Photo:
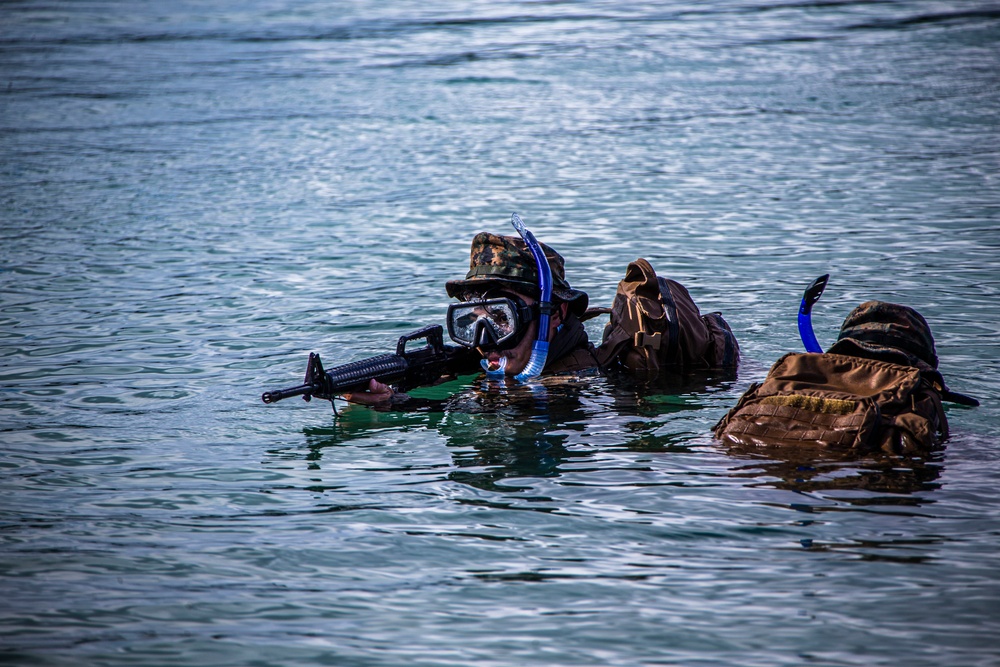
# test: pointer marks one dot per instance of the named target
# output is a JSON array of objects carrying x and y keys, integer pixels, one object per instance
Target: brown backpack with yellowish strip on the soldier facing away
[{"x": 843, "y": 402}]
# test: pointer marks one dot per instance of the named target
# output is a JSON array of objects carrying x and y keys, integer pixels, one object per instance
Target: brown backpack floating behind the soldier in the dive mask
[{"x": 655, "y": 324}]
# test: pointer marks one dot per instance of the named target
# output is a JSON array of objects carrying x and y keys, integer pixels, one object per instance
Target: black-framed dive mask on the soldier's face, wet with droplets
[{"x": 490, "y": 324}]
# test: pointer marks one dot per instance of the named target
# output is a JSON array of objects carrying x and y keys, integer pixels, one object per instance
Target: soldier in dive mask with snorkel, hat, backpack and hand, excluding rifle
[{"x": 518, "y": 311}]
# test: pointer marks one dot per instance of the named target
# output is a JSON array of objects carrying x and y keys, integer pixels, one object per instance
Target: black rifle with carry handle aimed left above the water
[{"x": 403, "y": 370}]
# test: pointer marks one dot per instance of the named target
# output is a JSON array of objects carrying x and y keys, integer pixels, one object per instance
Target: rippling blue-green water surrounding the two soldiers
[{"x": 196, "y": 195}]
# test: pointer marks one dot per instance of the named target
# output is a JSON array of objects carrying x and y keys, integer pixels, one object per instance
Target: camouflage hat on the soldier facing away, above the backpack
[{"x": 887, "y": 331}]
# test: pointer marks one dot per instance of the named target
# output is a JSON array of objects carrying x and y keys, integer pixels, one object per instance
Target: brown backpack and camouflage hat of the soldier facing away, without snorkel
[{"x": 876, "y": 389}]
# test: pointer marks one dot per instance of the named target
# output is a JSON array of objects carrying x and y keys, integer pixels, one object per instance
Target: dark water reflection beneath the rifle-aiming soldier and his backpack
[{"x": 498, "y": 432}]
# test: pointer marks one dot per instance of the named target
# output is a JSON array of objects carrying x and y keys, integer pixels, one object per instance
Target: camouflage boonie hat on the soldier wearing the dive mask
[{"x": 506, "y": 261}]
